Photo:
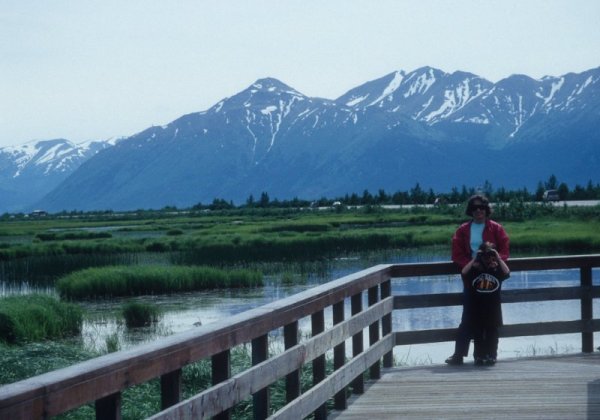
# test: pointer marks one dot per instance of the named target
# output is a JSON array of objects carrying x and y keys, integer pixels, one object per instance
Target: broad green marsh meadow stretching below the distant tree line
[{"x": 238, "y": 236}]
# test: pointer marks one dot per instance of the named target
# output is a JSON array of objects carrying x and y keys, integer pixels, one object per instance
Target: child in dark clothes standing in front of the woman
[{"x": 483, "y": 276}]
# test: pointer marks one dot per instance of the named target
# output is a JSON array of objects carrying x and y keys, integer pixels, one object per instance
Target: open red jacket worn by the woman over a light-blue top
[{"x": 492, "y": 232}]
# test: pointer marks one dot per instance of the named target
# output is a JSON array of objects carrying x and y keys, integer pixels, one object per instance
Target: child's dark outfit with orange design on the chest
[{"x": 485, "y": 310}]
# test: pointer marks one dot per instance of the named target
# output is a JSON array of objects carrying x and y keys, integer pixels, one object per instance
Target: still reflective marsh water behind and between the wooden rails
[{"x": 182, "y": 312}]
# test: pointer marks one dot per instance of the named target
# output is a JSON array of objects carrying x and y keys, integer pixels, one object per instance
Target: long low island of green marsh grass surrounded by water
[{"x": 104, "y": 282}]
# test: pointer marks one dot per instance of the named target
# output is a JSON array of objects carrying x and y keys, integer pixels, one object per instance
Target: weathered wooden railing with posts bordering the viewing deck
[{"x": 367, "y": 294}]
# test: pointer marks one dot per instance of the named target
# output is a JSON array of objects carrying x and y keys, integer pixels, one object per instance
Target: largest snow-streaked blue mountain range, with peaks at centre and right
[{"x": 438, "y": 129}]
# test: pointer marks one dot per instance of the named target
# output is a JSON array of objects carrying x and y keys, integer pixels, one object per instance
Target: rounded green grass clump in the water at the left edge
[{"x": 37, "y": 317}]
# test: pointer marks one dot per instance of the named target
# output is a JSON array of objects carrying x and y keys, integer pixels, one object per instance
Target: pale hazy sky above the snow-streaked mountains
[{"x": 93, "y": 70}]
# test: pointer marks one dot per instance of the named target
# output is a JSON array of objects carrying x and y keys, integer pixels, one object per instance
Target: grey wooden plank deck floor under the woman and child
[{"x": 559, "y": 387}]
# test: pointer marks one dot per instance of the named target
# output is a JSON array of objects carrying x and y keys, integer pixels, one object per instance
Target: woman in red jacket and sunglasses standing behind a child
[{"x": 465, "y": 243}]
